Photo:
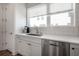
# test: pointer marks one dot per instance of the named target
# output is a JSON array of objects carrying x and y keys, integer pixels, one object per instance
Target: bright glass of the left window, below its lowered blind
[{"x": 40, "y": 21}]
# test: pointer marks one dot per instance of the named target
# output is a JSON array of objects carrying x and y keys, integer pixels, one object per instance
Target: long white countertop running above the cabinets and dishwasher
[{"x": 69, "y": 39}]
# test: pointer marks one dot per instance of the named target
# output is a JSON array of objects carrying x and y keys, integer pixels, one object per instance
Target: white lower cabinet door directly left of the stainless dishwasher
[{"x": 36, "y": 49}]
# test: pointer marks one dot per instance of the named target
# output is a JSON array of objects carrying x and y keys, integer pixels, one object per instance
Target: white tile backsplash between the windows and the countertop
[{"x": 65, "y": 30}]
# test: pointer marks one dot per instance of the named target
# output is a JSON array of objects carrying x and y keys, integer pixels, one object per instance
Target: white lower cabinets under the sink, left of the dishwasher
[{"x": 26, "y": 48}]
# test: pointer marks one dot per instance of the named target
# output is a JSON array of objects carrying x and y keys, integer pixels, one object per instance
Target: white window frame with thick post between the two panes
[{"x": 48, "y": 16}]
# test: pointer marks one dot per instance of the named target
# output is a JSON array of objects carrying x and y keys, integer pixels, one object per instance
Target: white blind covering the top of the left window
[{"x": 37, "y": 10}]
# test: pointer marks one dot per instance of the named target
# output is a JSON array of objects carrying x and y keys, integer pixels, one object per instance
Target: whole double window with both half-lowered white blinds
[{"x": 59, "y": 14}]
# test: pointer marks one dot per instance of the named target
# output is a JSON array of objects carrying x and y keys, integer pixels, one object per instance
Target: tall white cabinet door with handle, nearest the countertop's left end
[{"x": 10, "y": 27}]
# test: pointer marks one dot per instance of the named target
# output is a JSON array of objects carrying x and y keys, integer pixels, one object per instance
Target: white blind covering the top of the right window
[{"x": 57, "y": 7}]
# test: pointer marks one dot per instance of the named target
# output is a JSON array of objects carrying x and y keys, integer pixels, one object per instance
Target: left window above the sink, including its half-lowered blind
[{"x": 37, "y": 15}]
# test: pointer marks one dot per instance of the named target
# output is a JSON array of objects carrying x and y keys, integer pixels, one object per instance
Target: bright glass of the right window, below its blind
[{"x": 60, "y": 19}]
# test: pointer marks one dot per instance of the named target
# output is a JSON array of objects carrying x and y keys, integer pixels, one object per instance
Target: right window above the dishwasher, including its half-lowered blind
[{"x": 61, "y": 14}]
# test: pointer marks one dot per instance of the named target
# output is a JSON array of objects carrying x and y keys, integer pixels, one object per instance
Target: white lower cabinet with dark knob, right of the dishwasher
[{"x": 74, "y": 50}]
